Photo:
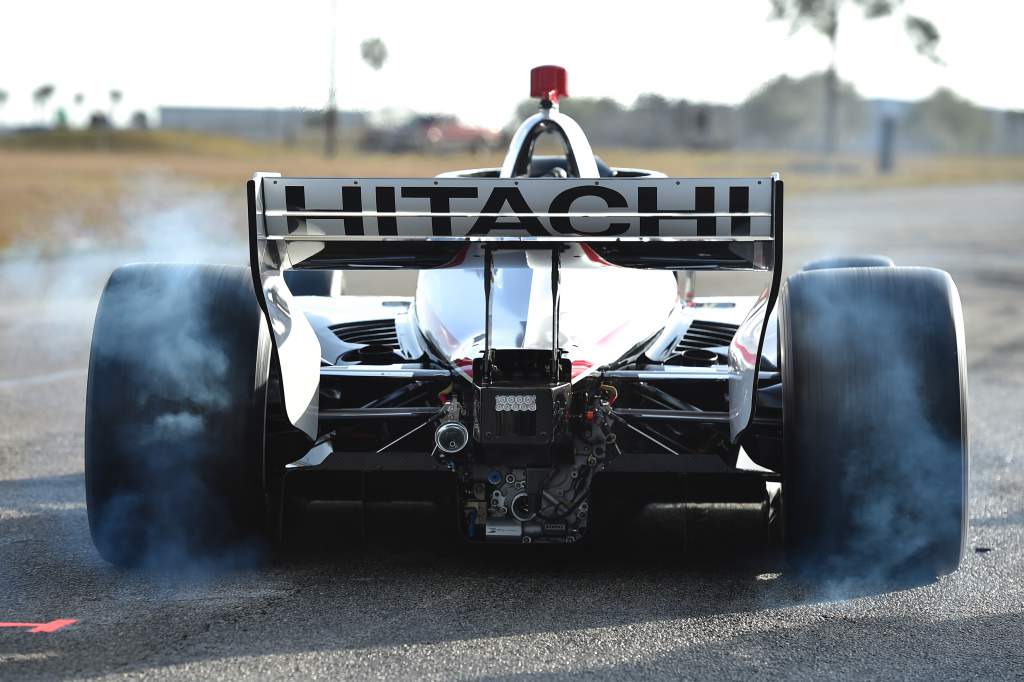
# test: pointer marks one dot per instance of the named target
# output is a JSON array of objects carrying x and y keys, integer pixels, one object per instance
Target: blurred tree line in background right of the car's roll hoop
[{"x": 787, "y": 114}]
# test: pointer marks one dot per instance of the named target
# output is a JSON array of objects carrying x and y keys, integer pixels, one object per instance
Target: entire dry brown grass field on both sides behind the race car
[{"x": 49, "y": 190}]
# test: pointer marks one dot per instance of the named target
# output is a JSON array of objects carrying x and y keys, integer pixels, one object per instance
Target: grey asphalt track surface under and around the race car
[{"x": 699, "y": 594}]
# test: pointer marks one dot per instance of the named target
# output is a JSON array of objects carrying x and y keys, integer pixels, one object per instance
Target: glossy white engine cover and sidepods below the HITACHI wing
[{"x": 605, "y": 315}]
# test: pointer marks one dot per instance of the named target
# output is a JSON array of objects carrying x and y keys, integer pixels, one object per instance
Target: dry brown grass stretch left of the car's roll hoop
[{"x": 47, "y": 192}]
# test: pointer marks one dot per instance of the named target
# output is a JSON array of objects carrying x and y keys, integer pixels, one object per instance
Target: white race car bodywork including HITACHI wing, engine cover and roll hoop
[{"x": 588, "y": 232}]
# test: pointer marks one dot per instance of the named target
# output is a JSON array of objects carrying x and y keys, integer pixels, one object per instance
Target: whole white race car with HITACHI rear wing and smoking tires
[{"x": 546, "y": 380}]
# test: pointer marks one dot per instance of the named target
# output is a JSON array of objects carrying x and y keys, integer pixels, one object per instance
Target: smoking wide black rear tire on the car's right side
[{"x": 875, "y": 406}]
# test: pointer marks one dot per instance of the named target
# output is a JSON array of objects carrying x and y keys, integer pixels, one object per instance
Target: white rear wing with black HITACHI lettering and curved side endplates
[{"x": 377, "y": 224}]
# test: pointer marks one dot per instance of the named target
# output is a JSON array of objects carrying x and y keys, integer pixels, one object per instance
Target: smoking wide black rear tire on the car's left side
[{"x": 176, "y": 416}]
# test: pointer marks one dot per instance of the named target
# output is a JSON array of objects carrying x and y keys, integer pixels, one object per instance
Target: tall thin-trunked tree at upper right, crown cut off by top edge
[{"x": 824, "y": 16}]
